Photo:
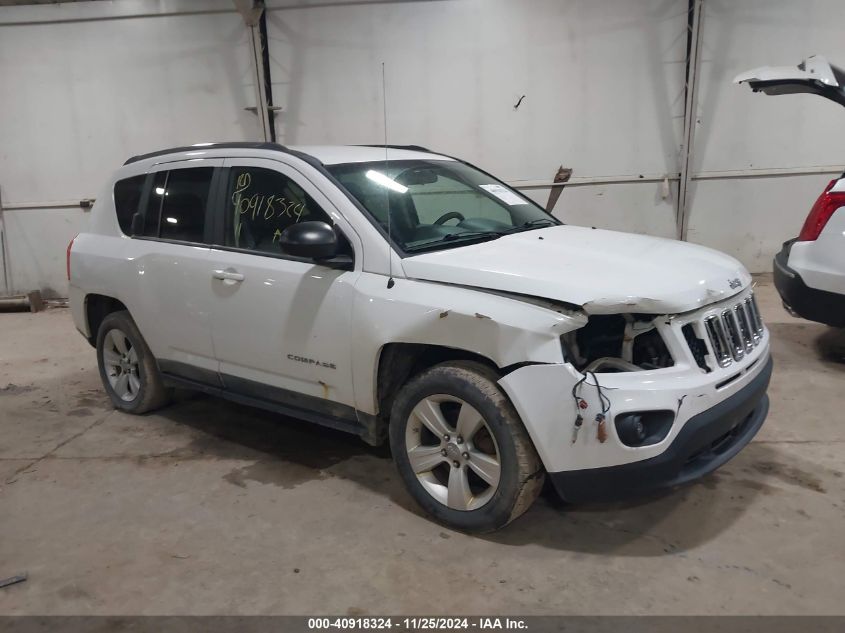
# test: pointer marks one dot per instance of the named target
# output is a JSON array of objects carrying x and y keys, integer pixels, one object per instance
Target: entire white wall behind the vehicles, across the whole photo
[{"x": 603, "y": 85}]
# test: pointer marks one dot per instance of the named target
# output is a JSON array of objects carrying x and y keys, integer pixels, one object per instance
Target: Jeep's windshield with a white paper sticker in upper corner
[{"x": 437, "y": 204}]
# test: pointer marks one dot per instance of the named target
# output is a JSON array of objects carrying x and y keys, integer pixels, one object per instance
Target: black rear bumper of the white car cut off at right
[{"x": 809, "y": 303}]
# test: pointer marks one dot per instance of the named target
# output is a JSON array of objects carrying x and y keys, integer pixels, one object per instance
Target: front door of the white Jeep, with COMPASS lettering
[{"x": 280, "y": 324}]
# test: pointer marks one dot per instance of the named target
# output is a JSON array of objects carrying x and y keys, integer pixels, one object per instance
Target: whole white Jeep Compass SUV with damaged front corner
[{"x": 401, "y": 294}]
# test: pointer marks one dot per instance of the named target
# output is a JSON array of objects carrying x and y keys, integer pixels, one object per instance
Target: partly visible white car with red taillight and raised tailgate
[{"x": 809, "y": 271}]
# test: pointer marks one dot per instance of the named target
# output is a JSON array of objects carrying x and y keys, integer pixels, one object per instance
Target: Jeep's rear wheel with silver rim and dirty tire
[{"x": 127, "y": 367}]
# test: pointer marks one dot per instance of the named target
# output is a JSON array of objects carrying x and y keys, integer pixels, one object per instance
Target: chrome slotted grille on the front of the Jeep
[{"x": 735, "y": 332}]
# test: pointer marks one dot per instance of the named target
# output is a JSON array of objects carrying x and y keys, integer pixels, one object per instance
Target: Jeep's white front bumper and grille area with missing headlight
[{"x": 632, "y": 381}]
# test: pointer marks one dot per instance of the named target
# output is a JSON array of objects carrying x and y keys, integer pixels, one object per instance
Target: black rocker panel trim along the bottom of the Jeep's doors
[{"x": 316, "y": 410}]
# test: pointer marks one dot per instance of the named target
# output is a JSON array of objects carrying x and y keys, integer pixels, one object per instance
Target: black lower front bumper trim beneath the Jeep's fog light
[{"x": 706, "y": 442}]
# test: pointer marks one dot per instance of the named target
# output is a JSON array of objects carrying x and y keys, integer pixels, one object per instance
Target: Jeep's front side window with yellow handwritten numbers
[{"x": 261, "y": 203}]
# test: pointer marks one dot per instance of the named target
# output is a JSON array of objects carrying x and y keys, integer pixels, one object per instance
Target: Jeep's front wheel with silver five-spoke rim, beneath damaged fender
[{"x": 461, "y": 449}]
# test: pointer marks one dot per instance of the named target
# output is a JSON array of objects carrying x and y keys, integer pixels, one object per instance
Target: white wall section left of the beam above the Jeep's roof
[{"x": 80, "y": 94}]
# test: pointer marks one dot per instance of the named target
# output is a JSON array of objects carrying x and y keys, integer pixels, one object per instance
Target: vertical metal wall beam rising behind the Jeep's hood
[{"x": 690, "y": 112}]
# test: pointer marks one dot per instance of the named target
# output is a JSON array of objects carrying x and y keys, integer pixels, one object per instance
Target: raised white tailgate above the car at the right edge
[{"x": 813, "y": 76}]
